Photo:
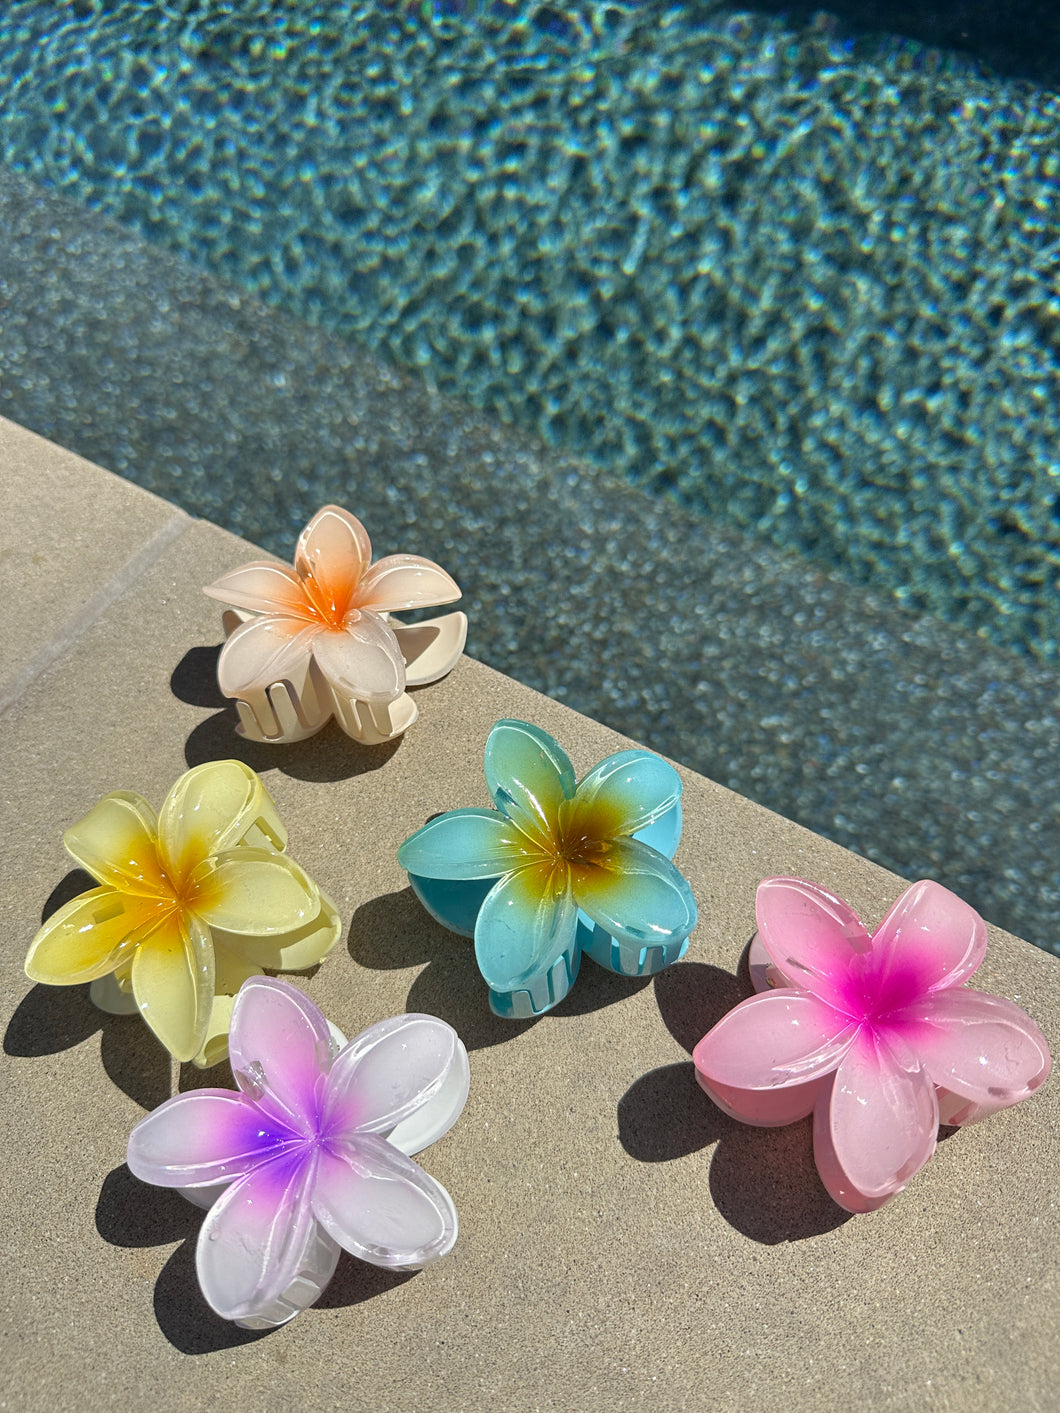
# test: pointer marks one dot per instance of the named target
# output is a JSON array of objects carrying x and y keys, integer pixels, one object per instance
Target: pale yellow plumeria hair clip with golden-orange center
[{"x": 190, "y": 904}]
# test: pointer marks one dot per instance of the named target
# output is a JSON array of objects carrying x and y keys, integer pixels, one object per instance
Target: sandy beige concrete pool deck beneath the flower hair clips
[{"x": 623, "y": 1244}]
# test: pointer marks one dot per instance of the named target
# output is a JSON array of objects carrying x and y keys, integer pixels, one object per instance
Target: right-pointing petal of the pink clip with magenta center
[{"x": 982, "y": 1048}]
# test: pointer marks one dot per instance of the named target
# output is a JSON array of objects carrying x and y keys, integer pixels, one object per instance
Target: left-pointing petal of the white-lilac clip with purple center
[{"x": 201, "y": 1138}]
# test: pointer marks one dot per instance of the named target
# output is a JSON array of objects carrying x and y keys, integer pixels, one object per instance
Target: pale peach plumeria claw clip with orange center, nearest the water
[{"x": 319, "y": 641}]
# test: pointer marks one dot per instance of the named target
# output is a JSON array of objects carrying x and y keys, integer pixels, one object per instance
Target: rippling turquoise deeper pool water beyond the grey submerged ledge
[{"x": 812, "y": 295}]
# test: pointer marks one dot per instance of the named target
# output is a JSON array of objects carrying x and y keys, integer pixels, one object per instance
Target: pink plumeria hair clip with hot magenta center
[{"x": 877, "y": 1036}]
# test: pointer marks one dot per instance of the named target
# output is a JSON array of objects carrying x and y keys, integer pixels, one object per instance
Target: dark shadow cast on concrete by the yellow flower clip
[{"x": 52, "y": 1019}]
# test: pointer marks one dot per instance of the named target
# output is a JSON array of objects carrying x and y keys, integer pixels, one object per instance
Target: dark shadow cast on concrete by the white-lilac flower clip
[{"x": 131, "y": 1213}]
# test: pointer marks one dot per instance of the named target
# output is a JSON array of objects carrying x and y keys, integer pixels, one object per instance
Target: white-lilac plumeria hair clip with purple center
[{"x": 312, "y": 1157}]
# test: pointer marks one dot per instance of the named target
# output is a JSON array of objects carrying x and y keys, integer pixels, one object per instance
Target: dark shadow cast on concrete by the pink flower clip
[{"x": 764, "y": 1182}]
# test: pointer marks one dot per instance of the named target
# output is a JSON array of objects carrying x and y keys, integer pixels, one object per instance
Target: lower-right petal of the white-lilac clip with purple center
[{"x": 381, "y": 1206}]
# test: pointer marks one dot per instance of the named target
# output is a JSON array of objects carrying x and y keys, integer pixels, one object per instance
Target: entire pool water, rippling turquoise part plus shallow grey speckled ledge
[{"x": 758, "y": 300}]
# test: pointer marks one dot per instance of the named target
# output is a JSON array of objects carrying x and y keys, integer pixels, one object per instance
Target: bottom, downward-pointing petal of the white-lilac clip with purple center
[{"x": 257, "y": 1238}]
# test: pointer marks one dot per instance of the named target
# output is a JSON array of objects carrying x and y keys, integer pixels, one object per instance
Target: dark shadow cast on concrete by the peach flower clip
[{"x": 324, "y": 758}]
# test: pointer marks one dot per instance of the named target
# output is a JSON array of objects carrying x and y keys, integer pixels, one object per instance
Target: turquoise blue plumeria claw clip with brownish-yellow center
[{"x": 559, "y": 868}]
